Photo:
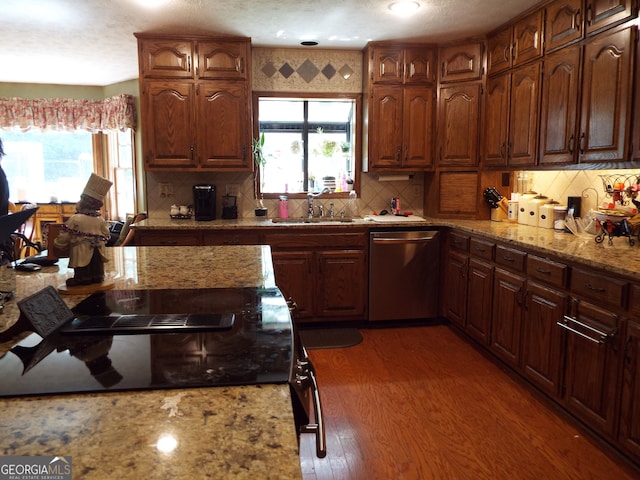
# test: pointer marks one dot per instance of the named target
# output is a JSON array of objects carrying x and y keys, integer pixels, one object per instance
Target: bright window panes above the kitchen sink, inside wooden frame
[{"x": 310, "y": 143}]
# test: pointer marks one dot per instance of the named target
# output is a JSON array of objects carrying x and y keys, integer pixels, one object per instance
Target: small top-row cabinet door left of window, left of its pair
[{"x": 162, "y": 58}]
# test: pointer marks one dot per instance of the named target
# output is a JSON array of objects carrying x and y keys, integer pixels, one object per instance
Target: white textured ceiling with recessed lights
[{"x": 91, "y": 42}]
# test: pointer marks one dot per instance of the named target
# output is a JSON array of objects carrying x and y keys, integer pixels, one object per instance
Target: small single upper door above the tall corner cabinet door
[{"x": 461, "y": 62}]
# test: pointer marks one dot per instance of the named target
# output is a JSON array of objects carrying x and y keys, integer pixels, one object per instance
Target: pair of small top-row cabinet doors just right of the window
[{"x": 402, "y": 65}]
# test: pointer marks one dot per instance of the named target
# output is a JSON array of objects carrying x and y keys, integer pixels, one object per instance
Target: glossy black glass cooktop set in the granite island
[{"x": 257, "y": 348}]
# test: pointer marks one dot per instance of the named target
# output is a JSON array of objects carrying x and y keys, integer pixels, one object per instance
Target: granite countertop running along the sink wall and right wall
[{"x": 619, "y": 258}]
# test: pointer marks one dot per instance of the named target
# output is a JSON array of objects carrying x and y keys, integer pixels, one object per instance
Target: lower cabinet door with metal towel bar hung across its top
[{"x": 592, "y": 362}]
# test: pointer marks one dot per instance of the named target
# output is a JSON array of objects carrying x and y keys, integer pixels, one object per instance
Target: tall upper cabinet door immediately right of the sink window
[{"x": 385, "y": 124}]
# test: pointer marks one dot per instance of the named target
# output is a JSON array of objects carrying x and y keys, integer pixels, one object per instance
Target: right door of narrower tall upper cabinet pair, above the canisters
[{"x": 523, "y": 117}]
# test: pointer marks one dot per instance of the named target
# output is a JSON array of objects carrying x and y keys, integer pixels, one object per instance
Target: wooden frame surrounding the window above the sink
[{"x": 357, "y": 135}]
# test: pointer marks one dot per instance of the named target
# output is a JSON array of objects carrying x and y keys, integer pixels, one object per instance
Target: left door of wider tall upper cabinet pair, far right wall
[{"x": 559, "y": 111}]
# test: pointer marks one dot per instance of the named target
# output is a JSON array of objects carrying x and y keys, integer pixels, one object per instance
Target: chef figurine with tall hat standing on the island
[{"x": 85, "y": 235}]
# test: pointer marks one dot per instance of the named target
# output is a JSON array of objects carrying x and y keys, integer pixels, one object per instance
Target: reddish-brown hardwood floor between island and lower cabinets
[{"x": 422, "y": 403}]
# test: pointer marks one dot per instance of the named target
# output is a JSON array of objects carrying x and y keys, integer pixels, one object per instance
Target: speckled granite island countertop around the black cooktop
[{"x": 220, "y": 432}]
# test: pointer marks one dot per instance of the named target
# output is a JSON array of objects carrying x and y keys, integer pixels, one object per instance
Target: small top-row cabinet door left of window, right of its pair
[{"x": 223, "y": 59}]
